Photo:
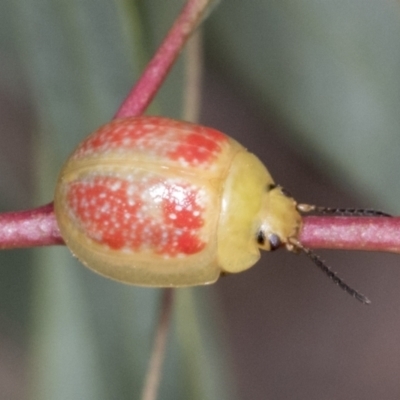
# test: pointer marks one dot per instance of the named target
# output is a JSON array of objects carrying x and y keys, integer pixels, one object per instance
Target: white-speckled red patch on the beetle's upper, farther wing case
[{"x": 156, "y": 137}]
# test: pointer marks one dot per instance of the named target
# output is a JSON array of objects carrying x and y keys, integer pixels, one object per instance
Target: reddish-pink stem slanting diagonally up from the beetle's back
[{"x": 156, "y": 71}]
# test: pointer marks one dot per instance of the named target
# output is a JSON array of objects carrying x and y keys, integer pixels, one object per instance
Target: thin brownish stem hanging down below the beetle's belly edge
[{"x": 153, "y": 376}]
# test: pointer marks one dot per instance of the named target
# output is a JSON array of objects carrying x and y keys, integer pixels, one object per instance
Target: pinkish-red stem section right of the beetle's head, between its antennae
[{"x": 352, "y": 233}]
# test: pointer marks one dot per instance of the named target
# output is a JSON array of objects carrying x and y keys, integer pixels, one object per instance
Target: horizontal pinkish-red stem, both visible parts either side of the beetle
[{"x": 38, "y": 227}]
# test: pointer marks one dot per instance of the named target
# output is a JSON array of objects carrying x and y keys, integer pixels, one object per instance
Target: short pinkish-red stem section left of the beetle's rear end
[{"x": 37, "y": 227}]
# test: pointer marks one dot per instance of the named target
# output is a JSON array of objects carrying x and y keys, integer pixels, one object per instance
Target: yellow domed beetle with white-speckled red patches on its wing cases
[{"x": 156, "y": 202}]
